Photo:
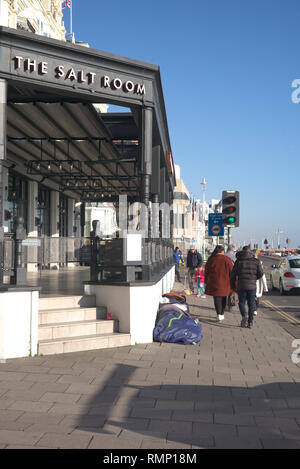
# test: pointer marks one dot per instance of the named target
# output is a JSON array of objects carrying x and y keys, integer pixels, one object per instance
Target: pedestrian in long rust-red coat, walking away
[{"x": 217, "y": 279}]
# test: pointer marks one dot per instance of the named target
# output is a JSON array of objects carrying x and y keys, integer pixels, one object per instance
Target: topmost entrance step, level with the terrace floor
[{"x": 69, "y": 302}]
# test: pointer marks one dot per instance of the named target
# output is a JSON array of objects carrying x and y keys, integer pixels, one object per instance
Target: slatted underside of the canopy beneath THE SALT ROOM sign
[{"x": 67, "y": 143}]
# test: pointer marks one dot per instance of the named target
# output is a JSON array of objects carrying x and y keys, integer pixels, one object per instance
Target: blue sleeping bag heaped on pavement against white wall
[{"x": 173, "y": 325}]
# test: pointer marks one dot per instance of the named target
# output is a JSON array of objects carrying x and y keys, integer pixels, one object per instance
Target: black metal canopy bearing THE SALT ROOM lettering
[{"x": 51, "y": 88}]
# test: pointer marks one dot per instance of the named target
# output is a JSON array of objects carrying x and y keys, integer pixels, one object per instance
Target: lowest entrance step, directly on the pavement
[{"x": 84, "y": 343}]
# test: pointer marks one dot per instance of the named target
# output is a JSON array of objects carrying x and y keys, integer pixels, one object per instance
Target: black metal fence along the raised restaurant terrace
[{"x": 104, "y": 256}]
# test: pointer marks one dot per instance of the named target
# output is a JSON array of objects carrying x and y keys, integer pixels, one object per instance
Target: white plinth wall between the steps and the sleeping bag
[{"x": 135, "y": 307}]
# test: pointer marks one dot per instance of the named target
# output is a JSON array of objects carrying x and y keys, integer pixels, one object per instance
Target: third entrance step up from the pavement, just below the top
[{"x": 52, "y": 316}]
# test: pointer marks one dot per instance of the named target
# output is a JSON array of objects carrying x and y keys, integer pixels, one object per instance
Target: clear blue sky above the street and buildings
[{"x": 227, "y": 69}]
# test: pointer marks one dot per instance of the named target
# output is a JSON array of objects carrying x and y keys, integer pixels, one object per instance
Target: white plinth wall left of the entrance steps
[{"x": 18, "y": 324}]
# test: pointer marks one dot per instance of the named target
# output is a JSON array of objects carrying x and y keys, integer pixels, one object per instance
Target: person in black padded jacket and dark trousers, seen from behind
[{"x": 246, "y": 270}]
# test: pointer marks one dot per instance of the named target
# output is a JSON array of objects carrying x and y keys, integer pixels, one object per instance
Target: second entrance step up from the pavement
[{"x": 76, "y": 329}]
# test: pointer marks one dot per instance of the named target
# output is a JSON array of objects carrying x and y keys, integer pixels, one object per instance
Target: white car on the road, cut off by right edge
[{"x": 286, "y": 275}]
